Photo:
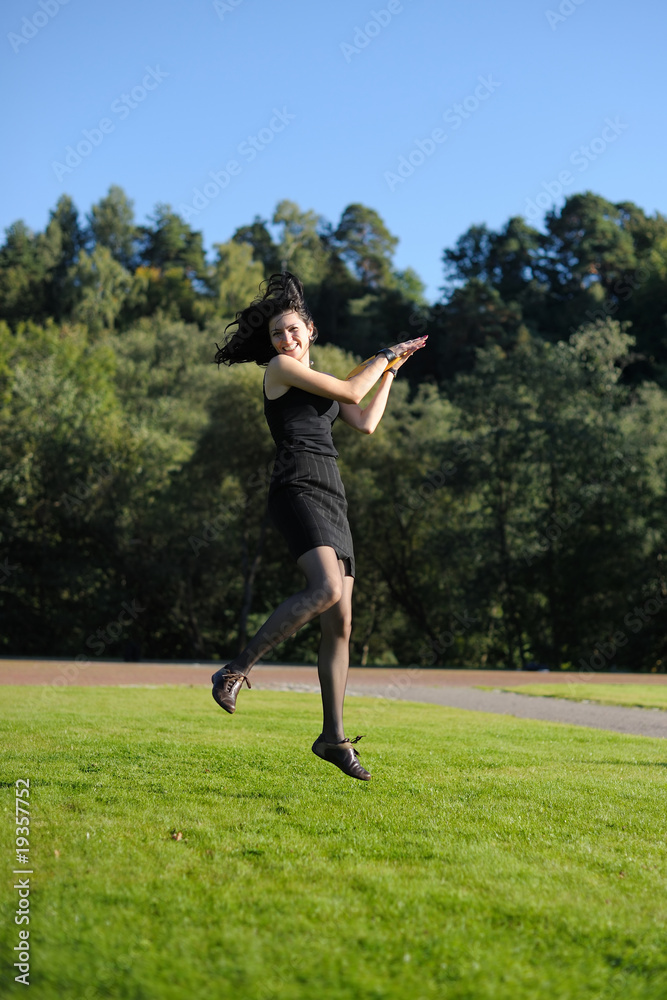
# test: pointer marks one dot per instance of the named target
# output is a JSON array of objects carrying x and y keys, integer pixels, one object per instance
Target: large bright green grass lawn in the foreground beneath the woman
[{"x": 489, "y": 857}]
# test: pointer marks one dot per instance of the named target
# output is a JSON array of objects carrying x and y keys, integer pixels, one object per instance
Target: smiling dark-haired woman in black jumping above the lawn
[{"x": 306, "y": 496}]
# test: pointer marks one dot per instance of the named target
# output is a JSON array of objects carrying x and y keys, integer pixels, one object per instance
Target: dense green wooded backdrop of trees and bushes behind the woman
[{"x": 510, "y": 507}]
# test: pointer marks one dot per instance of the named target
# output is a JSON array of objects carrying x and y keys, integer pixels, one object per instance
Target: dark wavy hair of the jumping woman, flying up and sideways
[{"x": 249, "y": 339}]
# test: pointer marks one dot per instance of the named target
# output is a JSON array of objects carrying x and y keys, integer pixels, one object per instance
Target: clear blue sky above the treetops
[{"x": 550, "y": 89}]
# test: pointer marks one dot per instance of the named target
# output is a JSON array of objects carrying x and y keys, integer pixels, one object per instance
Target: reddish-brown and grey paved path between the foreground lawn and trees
[{"x": 439, "y": 687}]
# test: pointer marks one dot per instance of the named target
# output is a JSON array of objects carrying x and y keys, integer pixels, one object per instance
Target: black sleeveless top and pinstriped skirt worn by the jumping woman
[{"x": 307, "y": 501}]
